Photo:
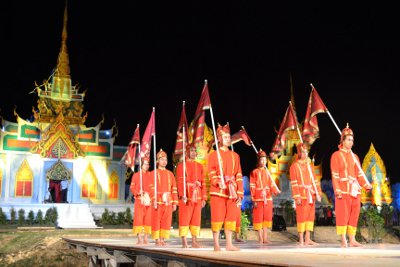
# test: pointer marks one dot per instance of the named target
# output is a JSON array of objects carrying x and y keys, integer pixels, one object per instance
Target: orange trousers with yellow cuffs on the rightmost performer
[{"x": 347, "y": 211}]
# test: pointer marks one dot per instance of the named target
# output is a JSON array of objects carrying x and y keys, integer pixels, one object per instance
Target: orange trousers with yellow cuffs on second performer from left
[{"x": 161, "y": 220}]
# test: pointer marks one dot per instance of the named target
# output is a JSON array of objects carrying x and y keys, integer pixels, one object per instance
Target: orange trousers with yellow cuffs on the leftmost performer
[{"x": 141, "y": 218}]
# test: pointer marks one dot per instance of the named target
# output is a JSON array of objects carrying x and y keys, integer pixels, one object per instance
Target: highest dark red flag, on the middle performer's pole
[{"x": 200, "y": 116}]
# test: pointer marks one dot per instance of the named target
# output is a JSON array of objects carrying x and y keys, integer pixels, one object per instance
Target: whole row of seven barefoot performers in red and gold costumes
[{"x": 153, "y": 213}]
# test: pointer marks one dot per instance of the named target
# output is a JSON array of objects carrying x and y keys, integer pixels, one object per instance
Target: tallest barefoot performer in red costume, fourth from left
[{"x": 226, "y": 189}]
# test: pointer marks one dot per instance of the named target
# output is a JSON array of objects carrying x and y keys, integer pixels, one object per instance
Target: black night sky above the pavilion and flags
[{"x": 131, "y": 57}]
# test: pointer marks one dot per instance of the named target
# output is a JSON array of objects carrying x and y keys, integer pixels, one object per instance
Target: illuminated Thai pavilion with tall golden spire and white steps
[{"x": 57, "y": 145}]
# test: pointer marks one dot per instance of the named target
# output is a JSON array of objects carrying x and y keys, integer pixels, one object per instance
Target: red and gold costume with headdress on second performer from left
[{"x": 167, "y": 195}]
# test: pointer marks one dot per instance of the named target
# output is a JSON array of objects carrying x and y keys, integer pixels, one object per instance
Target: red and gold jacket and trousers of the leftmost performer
[{"x": 142, "y": 207}]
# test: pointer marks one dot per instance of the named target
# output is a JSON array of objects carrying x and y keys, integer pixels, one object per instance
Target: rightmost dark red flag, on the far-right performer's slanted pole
[{"x": 310, "y": 127}]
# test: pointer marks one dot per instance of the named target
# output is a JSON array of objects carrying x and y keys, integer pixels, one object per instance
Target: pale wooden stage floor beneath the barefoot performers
[{"x": 251, "y": 253}]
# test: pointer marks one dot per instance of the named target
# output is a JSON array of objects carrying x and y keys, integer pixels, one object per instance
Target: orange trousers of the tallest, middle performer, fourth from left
[{"x": 224, "y": 212}]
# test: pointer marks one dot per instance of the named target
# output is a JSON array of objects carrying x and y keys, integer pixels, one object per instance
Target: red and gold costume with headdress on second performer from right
[{"x": 304, "y": 189}]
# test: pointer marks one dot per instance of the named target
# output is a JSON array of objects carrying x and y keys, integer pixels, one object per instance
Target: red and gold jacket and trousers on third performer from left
[{"x": 196, "y": 192}]
